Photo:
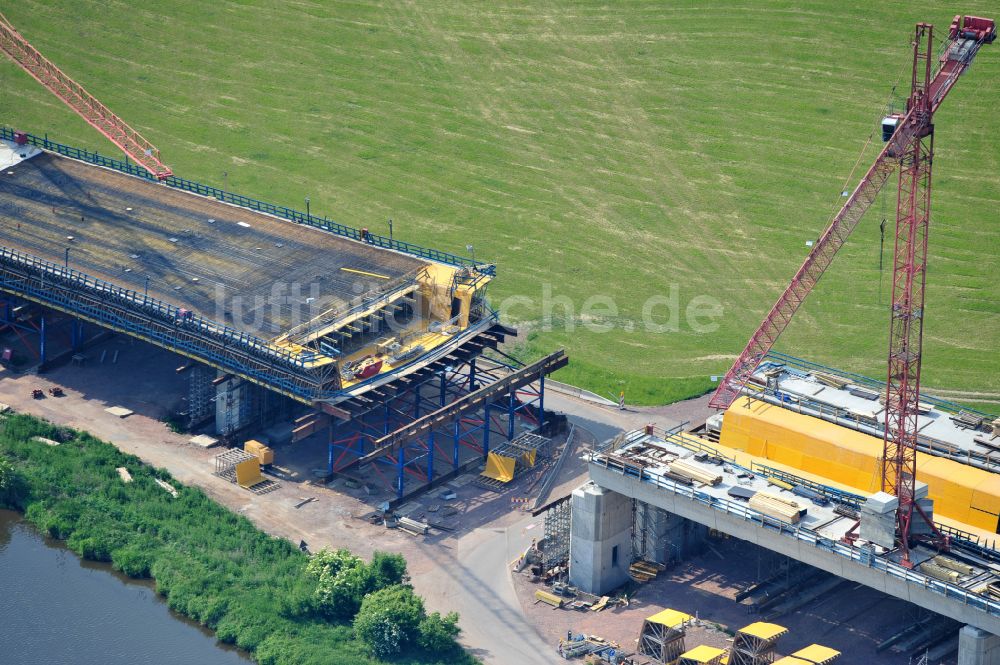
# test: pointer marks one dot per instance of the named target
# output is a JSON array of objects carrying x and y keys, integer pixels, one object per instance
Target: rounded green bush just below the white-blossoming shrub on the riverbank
[{"x": 389, "y": 620}]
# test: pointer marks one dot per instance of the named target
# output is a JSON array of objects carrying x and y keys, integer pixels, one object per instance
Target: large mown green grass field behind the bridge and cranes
[{"x": 601, "y": 149}]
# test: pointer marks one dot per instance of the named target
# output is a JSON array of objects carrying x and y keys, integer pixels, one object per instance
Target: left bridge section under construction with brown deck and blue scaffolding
[{"x": 267, "y": 304}]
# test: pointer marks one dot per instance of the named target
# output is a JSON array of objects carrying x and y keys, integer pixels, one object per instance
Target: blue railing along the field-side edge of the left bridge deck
[{"x": 284, "y": 212}]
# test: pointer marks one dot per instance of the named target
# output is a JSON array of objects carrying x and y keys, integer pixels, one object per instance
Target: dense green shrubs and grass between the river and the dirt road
[{"x": 256, "y": 591}]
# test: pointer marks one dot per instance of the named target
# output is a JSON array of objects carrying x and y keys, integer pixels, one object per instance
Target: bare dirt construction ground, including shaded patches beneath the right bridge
[{"x": 464, "y": 570}]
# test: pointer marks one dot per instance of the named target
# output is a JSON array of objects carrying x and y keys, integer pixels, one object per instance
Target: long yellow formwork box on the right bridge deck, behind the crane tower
[{"x": 963, "y": 493}]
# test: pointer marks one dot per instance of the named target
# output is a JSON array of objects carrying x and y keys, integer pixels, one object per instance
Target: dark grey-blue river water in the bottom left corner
[{"x": 56, "y": 609}]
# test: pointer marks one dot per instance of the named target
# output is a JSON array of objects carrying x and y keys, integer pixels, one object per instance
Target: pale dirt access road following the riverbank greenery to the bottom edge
[{"x": 466, "y": 571}]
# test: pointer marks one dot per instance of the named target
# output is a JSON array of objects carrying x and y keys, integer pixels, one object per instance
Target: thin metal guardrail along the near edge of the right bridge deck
[{"x": 855, "y": 554}]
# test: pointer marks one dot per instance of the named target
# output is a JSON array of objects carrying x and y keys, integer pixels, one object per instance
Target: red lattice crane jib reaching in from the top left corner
[{"x": 96, "y": 114}]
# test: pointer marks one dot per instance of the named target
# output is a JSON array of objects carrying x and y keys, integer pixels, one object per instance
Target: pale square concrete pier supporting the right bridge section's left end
[{"x": 600, "y": 539}]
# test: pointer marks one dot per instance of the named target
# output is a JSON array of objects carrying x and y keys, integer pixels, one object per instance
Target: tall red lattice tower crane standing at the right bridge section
[{"x": 908, "y": 151}]
